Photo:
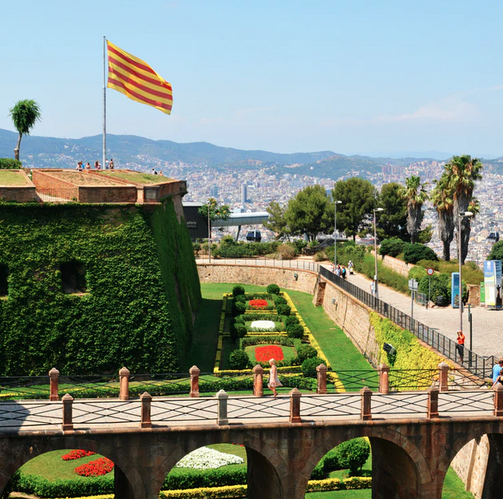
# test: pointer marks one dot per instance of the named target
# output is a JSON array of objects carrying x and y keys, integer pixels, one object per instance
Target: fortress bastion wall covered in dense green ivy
[{"x": 142, "y": 289}]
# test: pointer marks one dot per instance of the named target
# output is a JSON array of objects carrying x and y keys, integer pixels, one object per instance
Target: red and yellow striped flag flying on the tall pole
[{"x": 137, "y": 80}]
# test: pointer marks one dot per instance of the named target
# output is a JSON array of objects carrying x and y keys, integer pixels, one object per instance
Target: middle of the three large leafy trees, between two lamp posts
[{"x": 359, "y": 198}]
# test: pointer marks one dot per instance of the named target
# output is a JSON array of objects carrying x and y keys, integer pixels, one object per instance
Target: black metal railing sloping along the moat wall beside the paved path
[{"x": 477, "y": 364}]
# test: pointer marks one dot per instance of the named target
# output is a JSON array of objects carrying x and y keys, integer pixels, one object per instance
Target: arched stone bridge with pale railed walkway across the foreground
[{"x": 414, "y": 436}]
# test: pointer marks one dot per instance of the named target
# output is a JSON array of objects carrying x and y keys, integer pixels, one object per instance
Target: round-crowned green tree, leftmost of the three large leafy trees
[{"x": 309, "y": 212}]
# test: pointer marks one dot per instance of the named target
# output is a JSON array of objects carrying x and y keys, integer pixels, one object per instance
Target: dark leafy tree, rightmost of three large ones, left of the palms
[{"x": 392, "y": 221}]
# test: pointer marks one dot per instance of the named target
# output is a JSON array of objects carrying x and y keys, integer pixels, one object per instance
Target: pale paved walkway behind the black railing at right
[{"x": 487, "y": 324}]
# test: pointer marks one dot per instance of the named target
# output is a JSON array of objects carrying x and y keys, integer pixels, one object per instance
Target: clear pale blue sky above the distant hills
[{"x": 371, "y": 77}]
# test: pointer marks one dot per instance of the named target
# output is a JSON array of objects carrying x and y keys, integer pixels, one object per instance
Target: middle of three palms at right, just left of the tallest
[{"x": 441, "y": 197}]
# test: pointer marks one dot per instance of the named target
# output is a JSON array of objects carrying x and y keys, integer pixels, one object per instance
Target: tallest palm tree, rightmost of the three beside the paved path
[{"x": 463, "y": 171}]
